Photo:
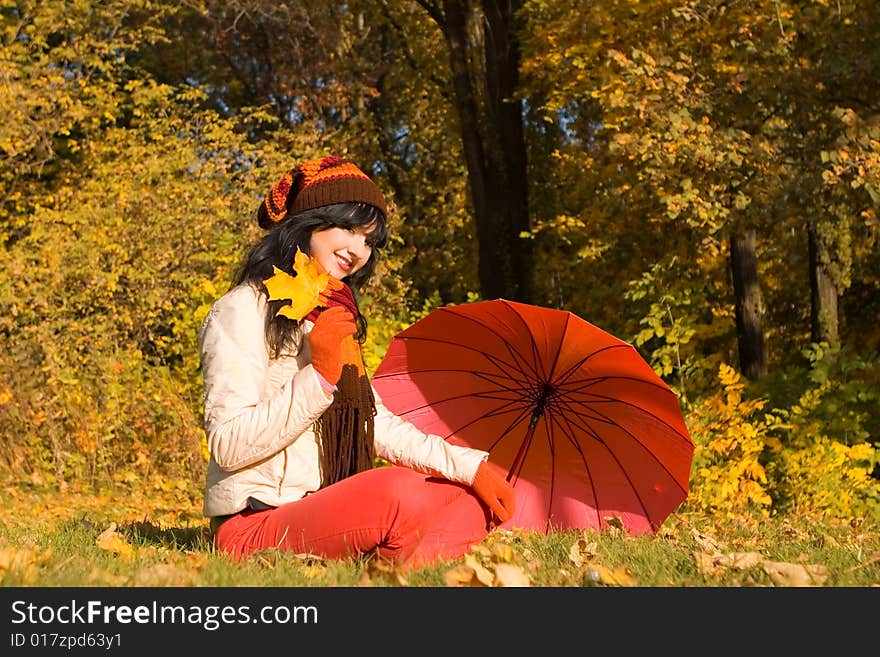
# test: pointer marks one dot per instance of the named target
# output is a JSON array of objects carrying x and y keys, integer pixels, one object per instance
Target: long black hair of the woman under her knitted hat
[{"x": 279, "y": 246}]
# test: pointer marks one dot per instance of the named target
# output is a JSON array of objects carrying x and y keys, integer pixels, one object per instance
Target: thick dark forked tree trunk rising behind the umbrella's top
[{"x": 494, "y": 145}]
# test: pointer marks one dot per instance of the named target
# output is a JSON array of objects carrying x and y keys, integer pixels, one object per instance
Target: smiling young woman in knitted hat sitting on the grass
[{"x": 292, "y": 422}]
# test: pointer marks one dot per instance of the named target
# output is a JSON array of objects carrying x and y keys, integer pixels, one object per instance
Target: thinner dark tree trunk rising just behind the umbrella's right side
[{"x": 749, "y": 320}]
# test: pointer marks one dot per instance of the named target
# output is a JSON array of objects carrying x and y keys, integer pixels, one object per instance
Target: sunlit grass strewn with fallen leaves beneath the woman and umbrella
[{"x": 77, "y": 538}]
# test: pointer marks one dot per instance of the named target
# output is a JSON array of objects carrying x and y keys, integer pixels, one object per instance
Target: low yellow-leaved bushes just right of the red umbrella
[{"x": 748, "y": 464}]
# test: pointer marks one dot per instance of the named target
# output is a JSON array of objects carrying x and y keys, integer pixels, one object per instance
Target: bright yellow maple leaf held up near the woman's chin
[{"x": 310, "y": 288}]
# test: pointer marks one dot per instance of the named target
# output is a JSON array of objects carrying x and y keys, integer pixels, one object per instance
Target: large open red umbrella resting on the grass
[{"x": 575, "y": 419}]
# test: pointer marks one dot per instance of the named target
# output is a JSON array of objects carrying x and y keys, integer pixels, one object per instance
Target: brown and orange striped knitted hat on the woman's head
[{"x": 318, "y": 182}]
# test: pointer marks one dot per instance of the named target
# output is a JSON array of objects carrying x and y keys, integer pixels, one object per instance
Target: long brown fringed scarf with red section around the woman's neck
[{"x": 345, "y": 429}]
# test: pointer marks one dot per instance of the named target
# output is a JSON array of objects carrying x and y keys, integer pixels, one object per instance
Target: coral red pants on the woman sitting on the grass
[{"x": 405, "y": 516}]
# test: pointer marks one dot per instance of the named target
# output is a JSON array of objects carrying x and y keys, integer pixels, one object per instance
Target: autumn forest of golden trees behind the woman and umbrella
[{"x": 700, "y": 178}]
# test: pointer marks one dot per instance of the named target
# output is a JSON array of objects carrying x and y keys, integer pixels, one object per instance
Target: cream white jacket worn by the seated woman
[{"x": 259, "y": 414}]
